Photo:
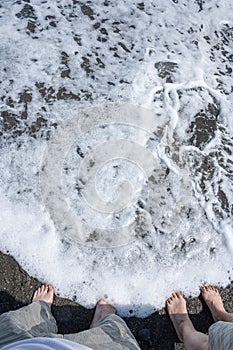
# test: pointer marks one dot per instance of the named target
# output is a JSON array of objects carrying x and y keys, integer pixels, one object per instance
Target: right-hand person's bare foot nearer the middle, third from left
[{"x": 176, "y": 307}]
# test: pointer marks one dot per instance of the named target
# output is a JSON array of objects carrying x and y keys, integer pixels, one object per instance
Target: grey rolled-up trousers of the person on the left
[{"x": 36, "y": 320}]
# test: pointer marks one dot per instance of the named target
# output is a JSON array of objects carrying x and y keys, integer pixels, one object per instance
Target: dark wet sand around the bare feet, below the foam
[{"x": 153, "y": 332}]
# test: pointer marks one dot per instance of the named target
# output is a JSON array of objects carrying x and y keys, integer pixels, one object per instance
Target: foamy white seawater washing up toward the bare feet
[{"x": 150, "y": 83}]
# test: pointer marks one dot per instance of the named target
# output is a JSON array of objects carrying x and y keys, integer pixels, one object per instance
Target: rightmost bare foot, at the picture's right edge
[{"x": 214, "y": 302}]
